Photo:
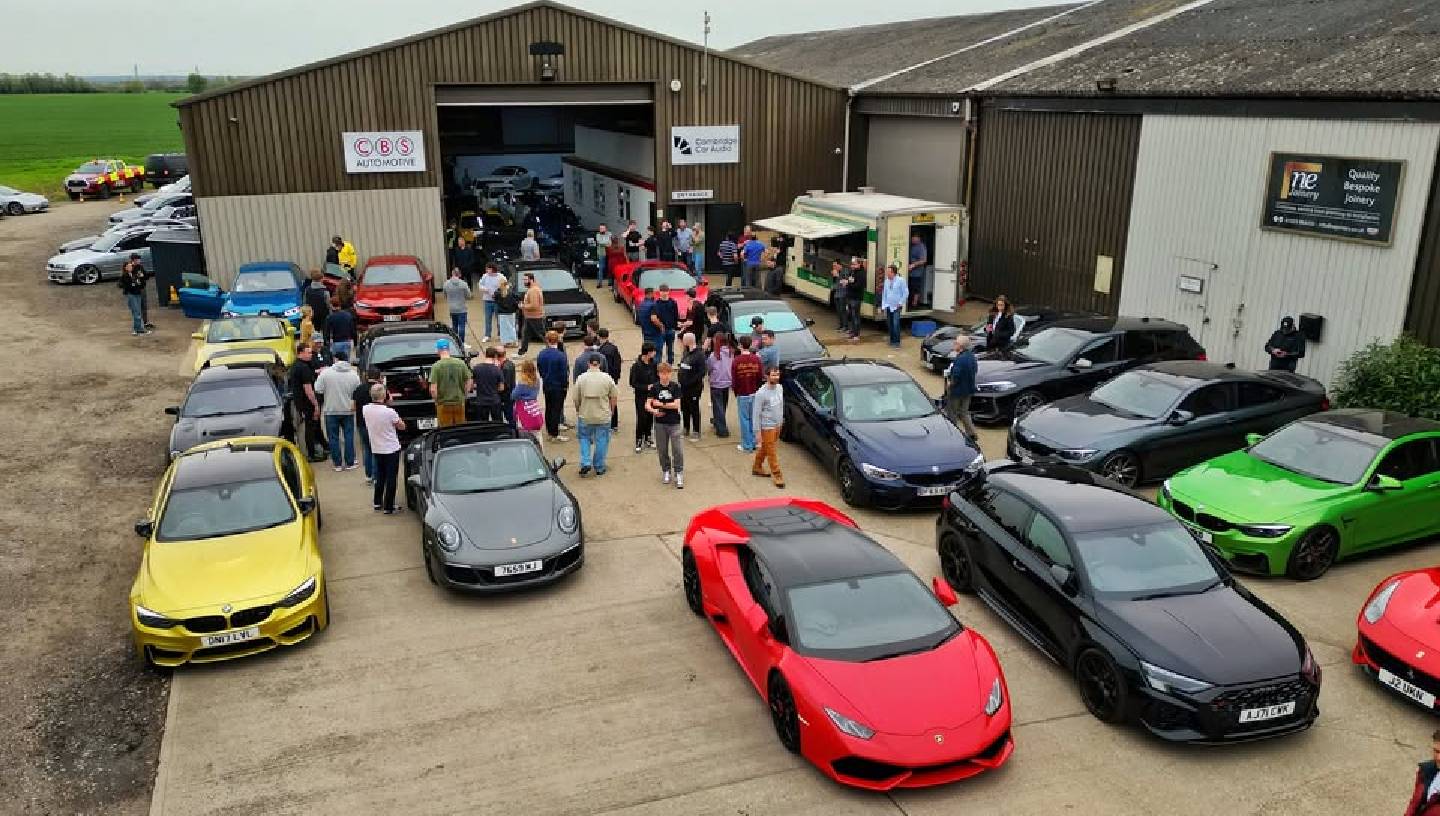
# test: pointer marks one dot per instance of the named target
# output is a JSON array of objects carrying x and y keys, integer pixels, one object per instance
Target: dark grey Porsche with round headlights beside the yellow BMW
[{"x": 495, "y": 516}]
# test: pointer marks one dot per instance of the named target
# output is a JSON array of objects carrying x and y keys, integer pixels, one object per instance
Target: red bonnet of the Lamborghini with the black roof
[{"x": 915, "y": 694}]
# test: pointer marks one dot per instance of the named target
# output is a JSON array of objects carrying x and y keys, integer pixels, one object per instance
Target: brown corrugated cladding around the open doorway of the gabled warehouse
[{"x": 283, "y": 136}]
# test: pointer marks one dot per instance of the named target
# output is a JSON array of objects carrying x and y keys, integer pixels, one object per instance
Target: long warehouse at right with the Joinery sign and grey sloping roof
[{"x": 1222, "y": 163}]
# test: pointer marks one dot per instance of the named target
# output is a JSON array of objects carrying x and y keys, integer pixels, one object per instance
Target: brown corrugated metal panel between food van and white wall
[{"x": 1052, "y": 198}]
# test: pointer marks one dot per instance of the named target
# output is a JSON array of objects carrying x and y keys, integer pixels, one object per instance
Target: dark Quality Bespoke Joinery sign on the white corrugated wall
[{"x": 1331, "y": 196}]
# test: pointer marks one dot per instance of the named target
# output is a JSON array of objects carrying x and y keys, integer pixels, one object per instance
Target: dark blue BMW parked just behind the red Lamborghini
[{"x": 878, "y": 431}]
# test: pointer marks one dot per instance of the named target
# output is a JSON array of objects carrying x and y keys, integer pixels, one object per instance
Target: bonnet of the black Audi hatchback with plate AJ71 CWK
[{"x": 1219, "y": 637}]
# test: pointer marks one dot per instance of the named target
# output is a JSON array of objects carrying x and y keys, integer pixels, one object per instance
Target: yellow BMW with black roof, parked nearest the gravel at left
[{"x": 233, "y": 556}]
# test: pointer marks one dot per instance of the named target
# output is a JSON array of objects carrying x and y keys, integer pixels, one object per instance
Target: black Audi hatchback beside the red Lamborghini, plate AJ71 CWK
[{"x": 1115, "y": 591}]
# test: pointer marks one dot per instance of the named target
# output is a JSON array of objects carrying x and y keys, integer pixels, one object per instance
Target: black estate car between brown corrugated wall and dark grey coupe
[{"x": 1072, "y": 358}]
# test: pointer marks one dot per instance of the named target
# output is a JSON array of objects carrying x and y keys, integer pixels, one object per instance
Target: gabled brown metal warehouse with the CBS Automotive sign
[{"x": 377, "y": 145}]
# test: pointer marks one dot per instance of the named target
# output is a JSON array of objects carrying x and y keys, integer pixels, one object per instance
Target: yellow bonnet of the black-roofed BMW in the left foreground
[{"x": 186, "y": 576}]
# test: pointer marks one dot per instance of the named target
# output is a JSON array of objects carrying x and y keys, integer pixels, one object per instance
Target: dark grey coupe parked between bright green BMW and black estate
[{"x": 1160, "y": 420}]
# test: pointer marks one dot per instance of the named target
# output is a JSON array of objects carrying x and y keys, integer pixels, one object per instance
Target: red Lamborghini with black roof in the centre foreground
[{"x": 866, "y": 674}]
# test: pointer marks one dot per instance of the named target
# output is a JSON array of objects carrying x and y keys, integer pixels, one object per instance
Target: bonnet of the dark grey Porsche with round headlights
[{"x": 490, "y": 520}]
